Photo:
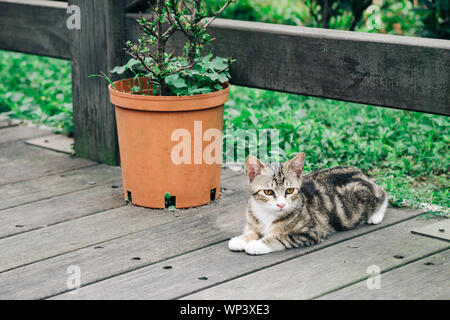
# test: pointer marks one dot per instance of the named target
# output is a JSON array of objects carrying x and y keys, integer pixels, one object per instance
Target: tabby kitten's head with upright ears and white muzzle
[{"x": 275, "y": 188}]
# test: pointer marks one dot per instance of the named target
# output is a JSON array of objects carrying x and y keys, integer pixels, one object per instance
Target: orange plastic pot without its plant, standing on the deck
[{"x": 149, "y": 128}]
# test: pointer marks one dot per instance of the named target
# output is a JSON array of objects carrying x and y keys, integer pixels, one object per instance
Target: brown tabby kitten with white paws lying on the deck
[{"x": 288, "y": 210}]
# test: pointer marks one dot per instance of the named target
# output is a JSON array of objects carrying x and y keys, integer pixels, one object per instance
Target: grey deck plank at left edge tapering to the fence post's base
[{"x": 19, "y": 162}]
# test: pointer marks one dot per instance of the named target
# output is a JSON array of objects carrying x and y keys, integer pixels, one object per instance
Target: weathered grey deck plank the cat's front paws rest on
[{"x": 215, "y": 262}]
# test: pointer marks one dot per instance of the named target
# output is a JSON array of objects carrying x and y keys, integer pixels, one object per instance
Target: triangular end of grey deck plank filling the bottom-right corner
[{"x": 425, "y": 279}]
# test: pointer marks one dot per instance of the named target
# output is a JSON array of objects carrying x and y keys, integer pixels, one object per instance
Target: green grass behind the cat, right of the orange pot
[{"x": 407, "y": 152}]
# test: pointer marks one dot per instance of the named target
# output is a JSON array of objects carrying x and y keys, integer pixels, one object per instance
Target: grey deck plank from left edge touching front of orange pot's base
[{"x": 74, "y": 234}]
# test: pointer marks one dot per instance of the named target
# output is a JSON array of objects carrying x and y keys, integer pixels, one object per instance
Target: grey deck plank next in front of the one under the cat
[{"x": 320, "y": 272}]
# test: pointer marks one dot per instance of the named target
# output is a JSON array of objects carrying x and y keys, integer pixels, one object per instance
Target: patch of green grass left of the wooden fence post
[{"x": 36, "y": 88}]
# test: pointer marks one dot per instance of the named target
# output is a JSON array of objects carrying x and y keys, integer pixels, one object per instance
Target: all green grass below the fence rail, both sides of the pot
[{"x": 406, "y": 152}]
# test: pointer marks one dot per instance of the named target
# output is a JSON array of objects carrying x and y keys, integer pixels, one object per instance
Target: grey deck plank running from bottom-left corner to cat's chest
[{"x": 192, "y": 229}]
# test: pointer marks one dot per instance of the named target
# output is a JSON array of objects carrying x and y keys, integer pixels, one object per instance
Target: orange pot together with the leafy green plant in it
[{"x": 170, "y": 113}]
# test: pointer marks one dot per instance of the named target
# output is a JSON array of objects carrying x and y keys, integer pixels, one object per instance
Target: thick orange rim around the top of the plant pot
[{"x": 167, "y": 103}]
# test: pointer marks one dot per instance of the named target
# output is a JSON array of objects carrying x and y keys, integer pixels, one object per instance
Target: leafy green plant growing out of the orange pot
[{"x": 187, "y": 74}]
